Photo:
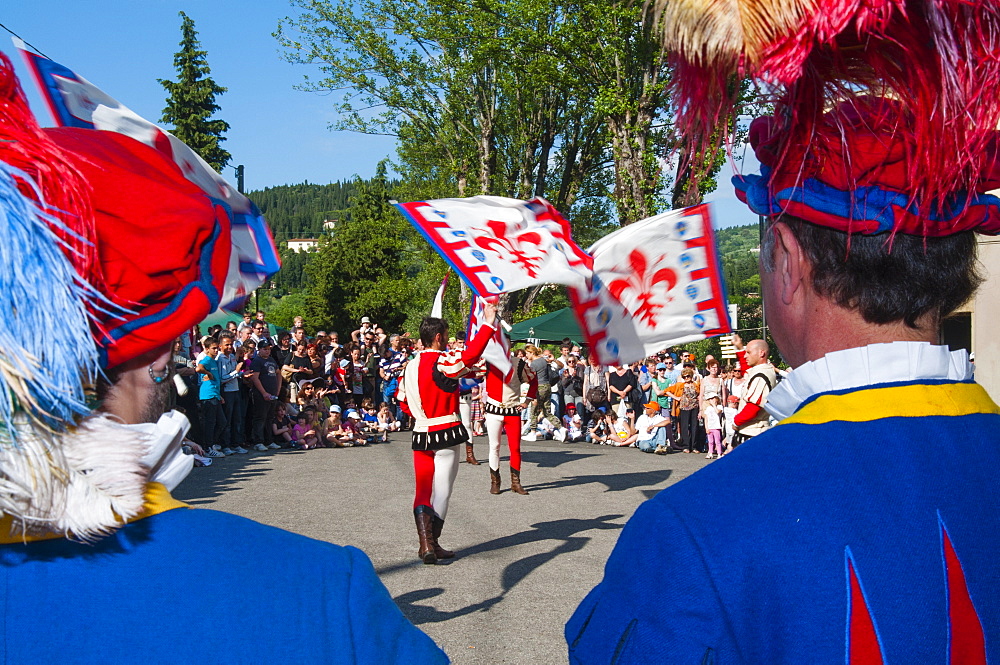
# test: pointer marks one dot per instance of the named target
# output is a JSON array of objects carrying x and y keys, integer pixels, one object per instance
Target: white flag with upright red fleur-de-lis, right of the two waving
[{"x": 655, "y": 283}]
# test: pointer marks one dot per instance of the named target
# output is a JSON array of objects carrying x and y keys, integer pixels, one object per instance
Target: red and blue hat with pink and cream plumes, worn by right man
[{"x": 885, "y": 111}]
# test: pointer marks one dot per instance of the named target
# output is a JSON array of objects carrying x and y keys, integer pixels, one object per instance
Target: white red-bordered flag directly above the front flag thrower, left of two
[{"x": 499, "y": 245}]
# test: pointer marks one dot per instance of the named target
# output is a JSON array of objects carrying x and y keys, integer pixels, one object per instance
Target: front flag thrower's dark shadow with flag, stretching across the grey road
[{"x": 558, "y": 530}]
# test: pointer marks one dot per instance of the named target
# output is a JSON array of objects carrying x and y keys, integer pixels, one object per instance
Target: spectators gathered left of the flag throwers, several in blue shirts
[{"x": 248, "y": 387}]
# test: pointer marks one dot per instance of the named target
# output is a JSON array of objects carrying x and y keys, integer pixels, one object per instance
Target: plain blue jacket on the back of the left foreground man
[{"x": 200, "y": 586}]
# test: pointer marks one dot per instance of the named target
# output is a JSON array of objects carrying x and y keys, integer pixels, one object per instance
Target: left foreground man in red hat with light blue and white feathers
[{"x": 98, "y": 564}]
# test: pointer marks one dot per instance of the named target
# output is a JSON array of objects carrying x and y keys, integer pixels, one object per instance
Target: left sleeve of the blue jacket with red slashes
[{"x": 656, "y": 603}]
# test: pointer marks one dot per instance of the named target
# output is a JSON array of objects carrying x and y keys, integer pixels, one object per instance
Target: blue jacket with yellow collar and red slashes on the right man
[{"x": 865, "y": 528}]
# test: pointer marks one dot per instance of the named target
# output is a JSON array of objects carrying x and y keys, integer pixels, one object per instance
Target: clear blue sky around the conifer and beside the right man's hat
[{"x": 280, "y": 134}]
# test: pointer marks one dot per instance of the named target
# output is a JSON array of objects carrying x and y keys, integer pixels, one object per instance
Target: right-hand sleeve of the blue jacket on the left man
[{"x": 379, "y": 631}]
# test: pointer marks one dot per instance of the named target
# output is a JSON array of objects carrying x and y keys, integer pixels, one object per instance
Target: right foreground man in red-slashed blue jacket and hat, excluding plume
[{"x": 864, "y": 526}]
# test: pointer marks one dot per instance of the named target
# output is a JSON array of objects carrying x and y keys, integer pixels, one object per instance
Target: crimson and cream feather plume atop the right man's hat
[{"x": 940, "y": 59}]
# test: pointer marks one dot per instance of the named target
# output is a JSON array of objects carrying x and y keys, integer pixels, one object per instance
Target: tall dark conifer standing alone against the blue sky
[{"x": 191, "y": 100}]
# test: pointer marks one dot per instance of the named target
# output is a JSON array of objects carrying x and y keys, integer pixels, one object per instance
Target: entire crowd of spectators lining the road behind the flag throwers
[{"x": 251, "y": 389}]
